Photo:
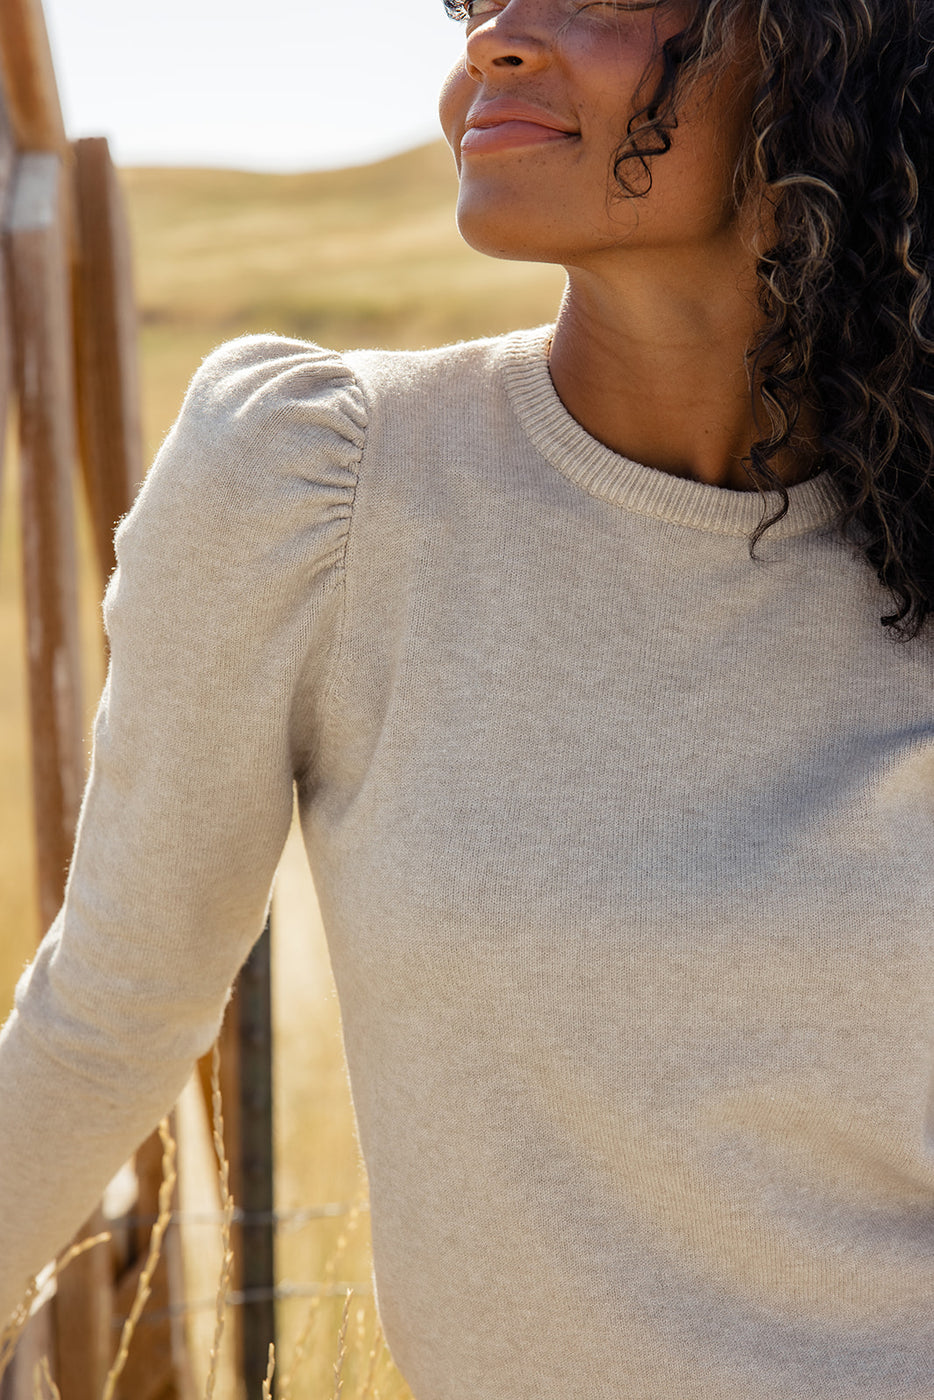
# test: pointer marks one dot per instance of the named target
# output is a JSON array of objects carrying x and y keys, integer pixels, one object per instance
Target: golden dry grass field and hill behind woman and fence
[{"x": 361, "y": 257}]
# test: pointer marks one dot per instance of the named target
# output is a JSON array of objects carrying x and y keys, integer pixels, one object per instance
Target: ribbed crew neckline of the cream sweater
[{"x": 601, "y": 472}]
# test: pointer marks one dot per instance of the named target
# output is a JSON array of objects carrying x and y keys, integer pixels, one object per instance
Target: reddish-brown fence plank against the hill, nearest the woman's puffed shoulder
[{"x": 109, "y": 388}]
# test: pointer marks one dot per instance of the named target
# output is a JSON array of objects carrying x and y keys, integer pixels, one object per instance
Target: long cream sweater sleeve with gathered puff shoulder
[{"x": 223, "y": 617}]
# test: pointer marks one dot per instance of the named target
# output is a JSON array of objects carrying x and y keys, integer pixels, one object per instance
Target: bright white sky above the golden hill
[{"x": 256, "y": 85}]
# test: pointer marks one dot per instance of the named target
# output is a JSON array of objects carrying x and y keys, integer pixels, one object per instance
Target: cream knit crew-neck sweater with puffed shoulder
[{"x": 625, "y": 846}]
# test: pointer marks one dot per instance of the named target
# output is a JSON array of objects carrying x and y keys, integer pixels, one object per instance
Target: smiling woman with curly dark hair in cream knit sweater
[{"x": 617, "y": 793}]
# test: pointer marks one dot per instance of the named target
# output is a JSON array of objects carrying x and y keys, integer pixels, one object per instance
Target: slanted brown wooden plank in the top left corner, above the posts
[{"x": 29, "y": 78}]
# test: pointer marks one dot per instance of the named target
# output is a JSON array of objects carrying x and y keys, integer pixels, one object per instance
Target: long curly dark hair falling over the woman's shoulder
[{"x": 842, "y": 149}]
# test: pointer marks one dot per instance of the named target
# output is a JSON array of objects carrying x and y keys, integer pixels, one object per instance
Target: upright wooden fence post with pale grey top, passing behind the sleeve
[{"x": 44, "y": 376}]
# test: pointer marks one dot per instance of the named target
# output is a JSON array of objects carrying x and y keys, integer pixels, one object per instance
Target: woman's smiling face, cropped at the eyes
[{"x": 537, "y": 111}]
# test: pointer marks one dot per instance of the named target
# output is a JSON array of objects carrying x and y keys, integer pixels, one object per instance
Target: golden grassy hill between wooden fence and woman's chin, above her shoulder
[{"x": 368, "y": 255}]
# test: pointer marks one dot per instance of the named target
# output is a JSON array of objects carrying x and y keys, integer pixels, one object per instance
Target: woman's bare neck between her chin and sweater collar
[{"x": 652, "y": 363}]
